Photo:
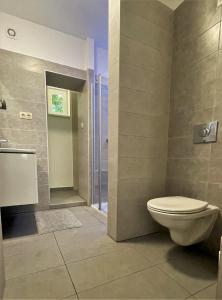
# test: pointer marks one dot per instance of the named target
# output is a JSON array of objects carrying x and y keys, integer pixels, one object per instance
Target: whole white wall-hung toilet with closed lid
[{"x": 189, "y": 220}]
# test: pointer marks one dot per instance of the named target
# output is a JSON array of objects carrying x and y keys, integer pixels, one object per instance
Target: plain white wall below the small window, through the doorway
[{"x": 60, "y": 152}]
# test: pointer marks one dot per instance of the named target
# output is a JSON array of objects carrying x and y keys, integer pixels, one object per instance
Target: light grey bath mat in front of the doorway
[{"x": 55, "y": 220}]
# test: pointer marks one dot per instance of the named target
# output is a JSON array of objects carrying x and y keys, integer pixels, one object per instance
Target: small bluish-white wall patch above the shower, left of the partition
[{"x": 101, "y": 61}]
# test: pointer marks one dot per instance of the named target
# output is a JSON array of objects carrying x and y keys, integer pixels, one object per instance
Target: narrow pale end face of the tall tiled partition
[{"x": 113, "y": 120}]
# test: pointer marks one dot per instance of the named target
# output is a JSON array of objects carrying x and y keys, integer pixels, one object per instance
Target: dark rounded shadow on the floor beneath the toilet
[{"x": 186, "y": 259}]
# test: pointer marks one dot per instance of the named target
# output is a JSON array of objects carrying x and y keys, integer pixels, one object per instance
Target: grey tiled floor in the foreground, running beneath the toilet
[{"x": 85, "y": 263}]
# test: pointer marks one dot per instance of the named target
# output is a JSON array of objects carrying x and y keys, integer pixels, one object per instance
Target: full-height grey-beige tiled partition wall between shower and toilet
[{"x": 140, "y": 69}]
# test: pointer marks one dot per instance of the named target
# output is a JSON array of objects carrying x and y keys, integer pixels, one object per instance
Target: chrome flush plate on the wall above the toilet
[{"x": 205, "y": 133}]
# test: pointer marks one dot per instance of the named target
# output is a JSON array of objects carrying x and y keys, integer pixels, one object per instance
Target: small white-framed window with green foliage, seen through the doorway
[{"x": 58, "y": 102}]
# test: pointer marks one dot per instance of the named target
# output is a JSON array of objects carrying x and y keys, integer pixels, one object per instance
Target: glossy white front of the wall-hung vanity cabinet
[{"x": 18, "y": 179}]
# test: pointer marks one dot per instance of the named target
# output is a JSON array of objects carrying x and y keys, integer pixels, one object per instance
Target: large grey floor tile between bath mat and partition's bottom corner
[{"x": 79, "y": 245}]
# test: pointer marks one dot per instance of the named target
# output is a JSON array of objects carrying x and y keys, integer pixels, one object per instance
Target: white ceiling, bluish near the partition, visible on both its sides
[{"x": 82, "y": 18}]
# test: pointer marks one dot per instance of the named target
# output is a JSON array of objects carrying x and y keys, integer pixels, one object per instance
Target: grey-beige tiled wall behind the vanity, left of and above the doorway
[{"x": 22, "y": 85}]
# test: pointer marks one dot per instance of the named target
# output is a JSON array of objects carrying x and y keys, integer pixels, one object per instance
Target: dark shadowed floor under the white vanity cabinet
[{"x": 18, "y": 225}]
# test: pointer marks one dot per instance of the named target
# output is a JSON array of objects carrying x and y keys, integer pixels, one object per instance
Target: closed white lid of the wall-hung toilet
[{"x": 177, "y": 204}]
